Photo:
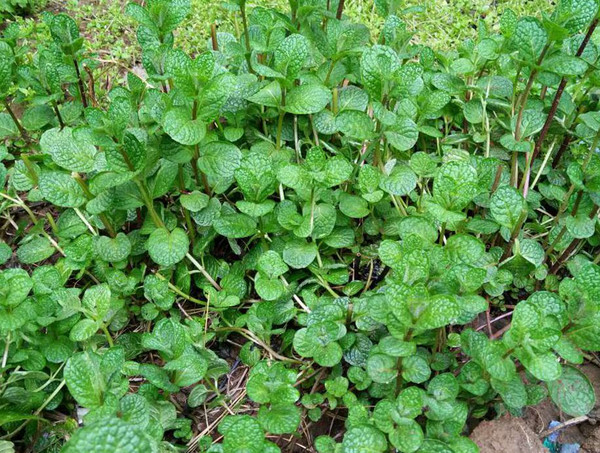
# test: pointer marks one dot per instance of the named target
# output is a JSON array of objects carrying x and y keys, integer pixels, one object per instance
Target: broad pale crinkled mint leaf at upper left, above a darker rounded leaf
[{"x": 72, "y": 149}]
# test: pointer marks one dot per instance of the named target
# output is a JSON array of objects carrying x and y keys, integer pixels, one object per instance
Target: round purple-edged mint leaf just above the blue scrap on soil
[{"x": 572, "y": 392}]
